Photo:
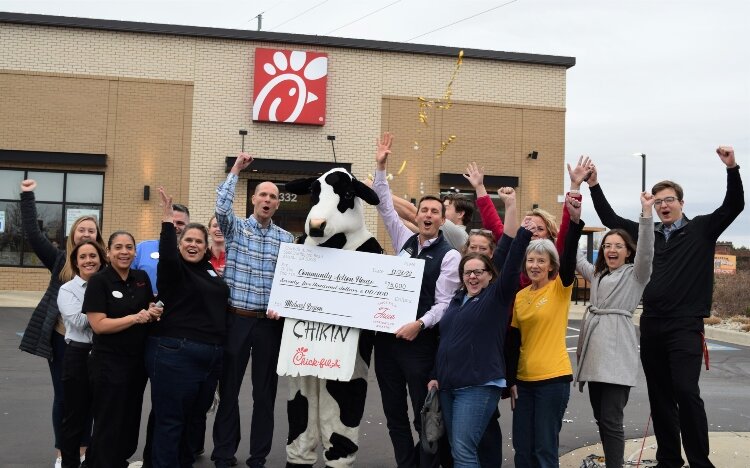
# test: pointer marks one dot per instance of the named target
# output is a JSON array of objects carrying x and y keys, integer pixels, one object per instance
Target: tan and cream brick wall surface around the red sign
[{"x": 503, "y": 111}]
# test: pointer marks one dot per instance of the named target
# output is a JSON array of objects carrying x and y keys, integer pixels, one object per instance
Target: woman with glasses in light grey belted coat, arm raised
[{"x": 607, "y": 345}]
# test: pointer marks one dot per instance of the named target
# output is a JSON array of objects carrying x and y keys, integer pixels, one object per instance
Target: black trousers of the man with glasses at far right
[{"x": 671, "y": 354}]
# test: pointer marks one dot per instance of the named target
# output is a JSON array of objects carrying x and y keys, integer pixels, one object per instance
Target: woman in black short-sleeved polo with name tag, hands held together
[{"x": 117, "y": 304}]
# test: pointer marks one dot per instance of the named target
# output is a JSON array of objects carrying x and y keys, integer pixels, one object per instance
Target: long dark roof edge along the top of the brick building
[{"x": 301, "y": 39}]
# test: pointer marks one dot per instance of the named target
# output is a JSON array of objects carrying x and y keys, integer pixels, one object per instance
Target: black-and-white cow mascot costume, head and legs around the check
[{"x": 324, "y": 410}]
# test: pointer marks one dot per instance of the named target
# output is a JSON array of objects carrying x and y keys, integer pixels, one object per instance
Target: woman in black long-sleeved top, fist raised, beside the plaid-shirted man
[{"x": 184, "y": 351}]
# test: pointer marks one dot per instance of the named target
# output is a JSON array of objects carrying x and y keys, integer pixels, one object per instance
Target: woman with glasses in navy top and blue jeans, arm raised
[{"x": 469, "y": 366}]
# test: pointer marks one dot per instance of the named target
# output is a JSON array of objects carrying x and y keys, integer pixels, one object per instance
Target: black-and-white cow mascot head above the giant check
[{"x": 336, "y": 218}]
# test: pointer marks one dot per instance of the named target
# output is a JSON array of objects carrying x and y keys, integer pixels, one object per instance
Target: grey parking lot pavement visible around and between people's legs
[{"x": 26, "y": 401}]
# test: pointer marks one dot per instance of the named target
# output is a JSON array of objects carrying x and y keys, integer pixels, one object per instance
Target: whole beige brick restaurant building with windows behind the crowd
[{"x": 99, "y": 110}]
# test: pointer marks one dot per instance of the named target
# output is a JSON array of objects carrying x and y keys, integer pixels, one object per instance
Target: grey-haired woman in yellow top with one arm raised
[{"x": 539, "y": 368}]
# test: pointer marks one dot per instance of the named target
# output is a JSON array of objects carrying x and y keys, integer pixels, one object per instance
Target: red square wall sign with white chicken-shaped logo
[{"x": 290, "y": 86}]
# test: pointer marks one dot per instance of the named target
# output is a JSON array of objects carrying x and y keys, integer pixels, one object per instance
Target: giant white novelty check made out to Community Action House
[{"x": 342, "y": 287}]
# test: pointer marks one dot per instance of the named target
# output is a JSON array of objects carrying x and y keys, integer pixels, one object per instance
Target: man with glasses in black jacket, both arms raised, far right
[{"x": 675, "y": 302}]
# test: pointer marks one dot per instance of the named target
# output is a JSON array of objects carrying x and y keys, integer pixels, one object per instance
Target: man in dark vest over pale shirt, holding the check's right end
[{"x": 404, "y": 360}]
